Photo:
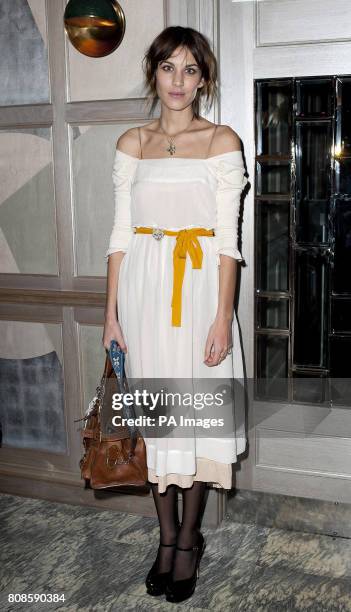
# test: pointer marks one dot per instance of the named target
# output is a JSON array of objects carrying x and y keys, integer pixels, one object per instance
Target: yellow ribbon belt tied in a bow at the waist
[{"x": 187, "y": 242}]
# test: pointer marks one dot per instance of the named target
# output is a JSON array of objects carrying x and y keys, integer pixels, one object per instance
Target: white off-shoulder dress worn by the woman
[{"x": 176, "y": 193}]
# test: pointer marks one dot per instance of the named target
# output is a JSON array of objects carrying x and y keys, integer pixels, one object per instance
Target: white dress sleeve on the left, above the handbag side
[{"x": 122, "y": 175}]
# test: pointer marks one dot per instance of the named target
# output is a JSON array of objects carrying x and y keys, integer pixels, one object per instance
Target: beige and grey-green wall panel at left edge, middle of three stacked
[{"x": 28, "y": 240}]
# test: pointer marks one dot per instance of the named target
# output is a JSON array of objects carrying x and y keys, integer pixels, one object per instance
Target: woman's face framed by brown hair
[{"x": 178, "y": 79}]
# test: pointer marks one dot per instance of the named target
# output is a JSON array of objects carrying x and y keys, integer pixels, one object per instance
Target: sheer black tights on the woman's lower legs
[{"x": 188, "y": 536}]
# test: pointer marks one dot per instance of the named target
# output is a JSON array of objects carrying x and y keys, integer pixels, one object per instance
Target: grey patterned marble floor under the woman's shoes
[{"x": 99, "y": 560}]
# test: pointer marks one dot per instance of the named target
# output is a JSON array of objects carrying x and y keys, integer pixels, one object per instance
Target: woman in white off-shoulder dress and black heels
[{"x": 174, "y": 292}]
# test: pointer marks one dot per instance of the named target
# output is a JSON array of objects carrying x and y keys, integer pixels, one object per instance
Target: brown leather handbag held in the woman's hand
[{"x": 115, "y": 455}]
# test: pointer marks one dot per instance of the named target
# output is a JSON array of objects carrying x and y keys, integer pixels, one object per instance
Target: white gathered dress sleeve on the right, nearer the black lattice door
[{"x": 230, "y": 183}]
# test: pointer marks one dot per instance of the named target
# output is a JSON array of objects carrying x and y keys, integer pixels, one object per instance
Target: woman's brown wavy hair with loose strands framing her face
[{"x": 162, "y": 48}]
